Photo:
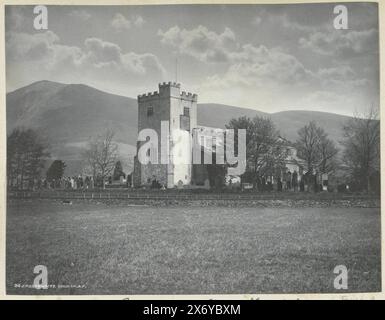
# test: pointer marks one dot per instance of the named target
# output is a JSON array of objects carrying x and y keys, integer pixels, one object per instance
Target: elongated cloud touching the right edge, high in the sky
[{"x": 342, "y": 44}]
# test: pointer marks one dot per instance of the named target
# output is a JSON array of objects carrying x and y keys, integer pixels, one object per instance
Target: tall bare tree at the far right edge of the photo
[{"x": 362, "y": 147}]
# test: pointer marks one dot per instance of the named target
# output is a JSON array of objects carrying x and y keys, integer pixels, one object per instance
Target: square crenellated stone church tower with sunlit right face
[{"x": 180, "y": 110}]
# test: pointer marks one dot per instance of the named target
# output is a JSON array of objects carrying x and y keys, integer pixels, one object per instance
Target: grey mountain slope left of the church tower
[{"x": 67, "y": 115}]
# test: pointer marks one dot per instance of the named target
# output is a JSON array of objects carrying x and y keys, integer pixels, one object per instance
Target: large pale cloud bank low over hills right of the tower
[{"x": 277, "y": 79}]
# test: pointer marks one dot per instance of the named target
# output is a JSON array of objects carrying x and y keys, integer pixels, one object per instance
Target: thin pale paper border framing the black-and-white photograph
[{"x": 275, "y": 296}]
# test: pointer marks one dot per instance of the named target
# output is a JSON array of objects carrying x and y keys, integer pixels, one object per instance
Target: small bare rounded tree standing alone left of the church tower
[{"x": 100, "y": 155}]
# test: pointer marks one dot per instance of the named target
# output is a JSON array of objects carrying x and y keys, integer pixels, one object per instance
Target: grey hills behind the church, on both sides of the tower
[{"x": 67, "y": 115}]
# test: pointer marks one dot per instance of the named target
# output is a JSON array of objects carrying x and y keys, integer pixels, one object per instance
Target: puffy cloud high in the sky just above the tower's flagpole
[{"x": 201, "y": 43}]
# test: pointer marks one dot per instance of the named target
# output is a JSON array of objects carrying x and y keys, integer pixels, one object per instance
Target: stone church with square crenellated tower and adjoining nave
[{"x": 177, "y": 110}]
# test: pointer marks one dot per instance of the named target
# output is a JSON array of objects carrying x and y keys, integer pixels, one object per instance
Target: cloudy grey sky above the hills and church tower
[{"x": 266, "y": 57}]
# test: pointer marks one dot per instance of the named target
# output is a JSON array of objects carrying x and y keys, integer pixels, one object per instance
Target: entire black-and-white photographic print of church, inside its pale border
[{"x": 192, "y": 149}]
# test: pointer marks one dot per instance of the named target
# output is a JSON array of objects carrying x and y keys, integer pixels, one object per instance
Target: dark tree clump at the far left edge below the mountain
[{"x": 26, "y": 155}]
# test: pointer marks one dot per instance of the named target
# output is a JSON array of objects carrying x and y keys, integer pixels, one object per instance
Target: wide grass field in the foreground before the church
[{"x": 124, "y": 249}]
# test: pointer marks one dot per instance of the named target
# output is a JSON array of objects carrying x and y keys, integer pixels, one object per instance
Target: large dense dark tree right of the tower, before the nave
[{"x": 265, "y": 150}]
